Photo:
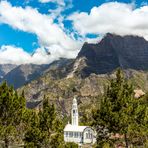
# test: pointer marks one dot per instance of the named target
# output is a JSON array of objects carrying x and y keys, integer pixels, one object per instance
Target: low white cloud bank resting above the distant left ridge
[{"x": 15, "y": 55}]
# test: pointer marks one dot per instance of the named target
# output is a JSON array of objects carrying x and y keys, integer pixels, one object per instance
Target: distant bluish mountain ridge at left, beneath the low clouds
[{"x": 23, "y": 74}]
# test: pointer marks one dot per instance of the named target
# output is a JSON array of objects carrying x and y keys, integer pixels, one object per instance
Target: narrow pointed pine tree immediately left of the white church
[{"x": 51, "y": 125}]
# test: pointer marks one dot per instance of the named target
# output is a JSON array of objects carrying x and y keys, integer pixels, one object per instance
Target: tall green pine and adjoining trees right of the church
[{"x": 119, "y": 113}]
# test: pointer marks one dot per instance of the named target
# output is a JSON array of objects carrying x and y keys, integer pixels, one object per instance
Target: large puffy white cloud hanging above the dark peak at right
[{"x": 113, "y": 17}]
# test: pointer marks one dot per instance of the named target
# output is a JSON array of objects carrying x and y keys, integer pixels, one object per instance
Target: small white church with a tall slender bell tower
[{"x": 75, "y": 133}]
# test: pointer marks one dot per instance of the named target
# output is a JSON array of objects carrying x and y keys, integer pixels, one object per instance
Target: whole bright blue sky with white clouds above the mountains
[{"x": 62, "y": 26}]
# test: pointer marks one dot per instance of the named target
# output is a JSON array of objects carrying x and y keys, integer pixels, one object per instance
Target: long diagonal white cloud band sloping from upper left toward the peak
[{"x": 49, "y": 34}]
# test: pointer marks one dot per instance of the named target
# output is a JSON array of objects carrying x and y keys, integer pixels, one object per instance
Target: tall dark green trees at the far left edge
[{"x": 12, "y": 107}]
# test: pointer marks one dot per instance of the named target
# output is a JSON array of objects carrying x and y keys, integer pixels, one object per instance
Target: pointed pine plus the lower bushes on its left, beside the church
[{"x": 45, "y": 129}]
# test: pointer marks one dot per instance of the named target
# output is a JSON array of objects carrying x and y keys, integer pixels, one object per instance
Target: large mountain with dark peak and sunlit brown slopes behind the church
[{"x": 88, "y": 74}]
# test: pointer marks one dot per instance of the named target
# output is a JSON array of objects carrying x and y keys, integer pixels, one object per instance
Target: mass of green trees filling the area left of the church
[{"x": 33, "y": 129}]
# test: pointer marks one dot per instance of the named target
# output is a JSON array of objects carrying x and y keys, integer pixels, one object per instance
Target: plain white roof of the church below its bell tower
[{"x": 74, "y": 128}]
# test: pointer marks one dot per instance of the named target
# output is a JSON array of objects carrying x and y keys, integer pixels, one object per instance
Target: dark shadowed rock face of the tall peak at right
[{"x": 113, "y": 51}]
